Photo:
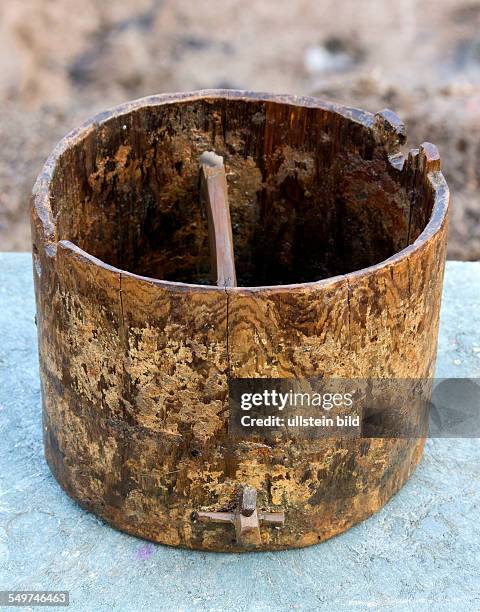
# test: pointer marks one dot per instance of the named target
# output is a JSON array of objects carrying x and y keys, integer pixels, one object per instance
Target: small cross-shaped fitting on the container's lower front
[{"x": 246, "y": 518}]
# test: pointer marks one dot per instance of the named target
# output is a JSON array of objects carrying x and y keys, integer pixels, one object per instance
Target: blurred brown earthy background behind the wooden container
[{"x": 63, "y": 60}]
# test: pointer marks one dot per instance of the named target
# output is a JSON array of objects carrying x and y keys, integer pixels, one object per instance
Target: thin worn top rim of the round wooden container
[{"x": 429, "y": 163}]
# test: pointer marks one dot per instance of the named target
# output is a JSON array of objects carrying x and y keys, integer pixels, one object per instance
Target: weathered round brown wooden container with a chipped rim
[{"x": 339, "y": 250}]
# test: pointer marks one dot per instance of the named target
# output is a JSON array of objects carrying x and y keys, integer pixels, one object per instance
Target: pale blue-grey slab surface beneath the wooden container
[{"x": 421, "y": 552}]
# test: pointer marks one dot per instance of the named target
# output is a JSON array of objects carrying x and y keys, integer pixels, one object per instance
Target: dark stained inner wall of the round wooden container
[{"x": 311, "y": 193}]
